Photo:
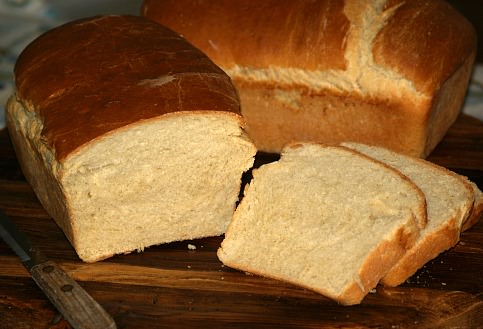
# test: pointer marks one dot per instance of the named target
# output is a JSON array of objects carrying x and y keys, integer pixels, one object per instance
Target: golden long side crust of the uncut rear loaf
[{"x": 328, "y": 118}]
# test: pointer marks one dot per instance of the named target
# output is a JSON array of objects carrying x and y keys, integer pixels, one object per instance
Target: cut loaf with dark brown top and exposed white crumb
[{"x": 129, "y": 135}]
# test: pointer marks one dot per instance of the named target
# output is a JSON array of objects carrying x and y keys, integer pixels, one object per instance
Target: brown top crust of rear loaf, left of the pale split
[{"x": 282, "y": 38}]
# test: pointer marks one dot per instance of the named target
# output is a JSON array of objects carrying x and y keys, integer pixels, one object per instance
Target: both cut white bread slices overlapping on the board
[{"x": 341, "y": 219}]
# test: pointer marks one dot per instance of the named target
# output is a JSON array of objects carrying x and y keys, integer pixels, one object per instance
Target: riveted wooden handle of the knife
[{"x": 72, "y": 301}]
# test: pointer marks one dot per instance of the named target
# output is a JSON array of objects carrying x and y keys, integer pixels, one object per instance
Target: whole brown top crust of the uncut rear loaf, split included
[{"x": 422, "y": 41}]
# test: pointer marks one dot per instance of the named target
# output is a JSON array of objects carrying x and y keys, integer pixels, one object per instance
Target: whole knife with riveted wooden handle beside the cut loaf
[{"x": 72, "y": 301}]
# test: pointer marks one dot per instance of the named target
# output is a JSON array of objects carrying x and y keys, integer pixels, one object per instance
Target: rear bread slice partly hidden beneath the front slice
[{"x": 449, "y": 200}]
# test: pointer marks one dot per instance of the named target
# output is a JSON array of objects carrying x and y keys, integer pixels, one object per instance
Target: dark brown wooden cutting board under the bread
[{"x": 183, "y": 285}]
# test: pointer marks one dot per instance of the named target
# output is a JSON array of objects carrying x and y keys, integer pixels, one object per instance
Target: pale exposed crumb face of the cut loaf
[{"x": 164, "y": 180}]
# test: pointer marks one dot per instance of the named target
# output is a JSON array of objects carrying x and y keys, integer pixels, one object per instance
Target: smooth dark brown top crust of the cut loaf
[{"x": 92, "y": 76}]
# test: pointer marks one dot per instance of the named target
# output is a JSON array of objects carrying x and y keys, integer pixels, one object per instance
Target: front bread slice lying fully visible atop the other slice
[{"x": 326, "y": 218}]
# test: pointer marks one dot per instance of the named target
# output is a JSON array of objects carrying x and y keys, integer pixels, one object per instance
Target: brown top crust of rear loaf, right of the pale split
[{"x": 426, "y": 41}]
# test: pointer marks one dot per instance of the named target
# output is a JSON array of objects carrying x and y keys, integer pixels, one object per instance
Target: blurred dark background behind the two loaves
[{"x": 23, "y": 20}]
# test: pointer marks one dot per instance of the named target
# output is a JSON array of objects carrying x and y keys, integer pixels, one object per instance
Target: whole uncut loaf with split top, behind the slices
[{"x": 391, "y": 73}]
